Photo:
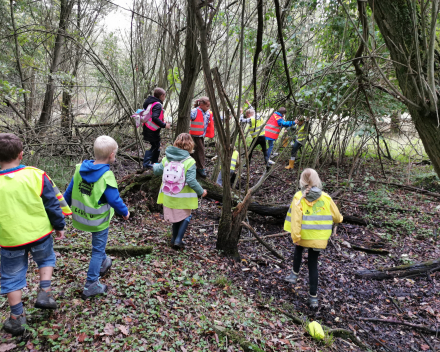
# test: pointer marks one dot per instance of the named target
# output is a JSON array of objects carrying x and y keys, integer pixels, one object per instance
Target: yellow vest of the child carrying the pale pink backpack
[{"x": 186, "y": 199}]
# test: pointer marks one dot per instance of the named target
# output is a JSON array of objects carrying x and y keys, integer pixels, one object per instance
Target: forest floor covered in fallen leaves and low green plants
[{"x": 172, "y": 300}]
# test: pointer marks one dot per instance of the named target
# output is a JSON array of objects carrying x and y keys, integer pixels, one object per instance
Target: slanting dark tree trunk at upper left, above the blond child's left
[{"x": 66, "y": 9}]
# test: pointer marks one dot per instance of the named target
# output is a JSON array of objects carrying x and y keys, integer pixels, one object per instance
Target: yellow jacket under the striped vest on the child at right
[{"x": 297, "y": 214}]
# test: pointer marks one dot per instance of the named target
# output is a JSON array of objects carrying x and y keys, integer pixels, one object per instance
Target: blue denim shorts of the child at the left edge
[{"x": 14, "y": 264}]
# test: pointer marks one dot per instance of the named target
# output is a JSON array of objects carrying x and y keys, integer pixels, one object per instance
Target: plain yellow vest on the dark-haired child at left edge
[{"x": 23, "y": 218}]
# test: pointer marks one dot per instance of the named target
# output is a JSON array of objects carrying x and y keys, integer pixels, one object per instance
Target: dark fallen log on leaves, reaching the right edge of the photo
[{"x": 400, "y": 271}]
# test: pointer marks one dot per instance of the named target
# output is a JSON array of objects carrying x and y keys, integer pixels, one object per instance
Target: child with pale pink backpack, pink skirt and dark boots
[{"x": 178, "y": 202}]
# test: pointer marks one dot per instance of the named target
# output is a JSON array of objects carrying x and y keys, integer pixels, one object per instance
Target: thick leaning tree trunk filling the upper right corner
[{"x": 400, "y": 24}]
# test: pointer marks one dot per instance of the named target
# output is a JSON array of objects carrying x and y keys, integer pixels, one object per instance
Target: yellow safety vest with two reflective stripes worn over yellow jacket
[{"x": 317, "y": 220}]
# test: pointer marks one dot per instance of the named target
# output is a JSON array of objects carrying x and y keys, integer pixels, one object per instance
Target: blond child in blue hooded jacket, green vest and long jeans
[{"x": 93, "y": 193}]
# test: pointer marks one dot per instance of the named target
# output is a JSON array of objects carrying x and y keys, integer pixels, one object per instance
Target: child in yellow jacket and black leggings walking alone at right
[{"x": 310, "y": 220}]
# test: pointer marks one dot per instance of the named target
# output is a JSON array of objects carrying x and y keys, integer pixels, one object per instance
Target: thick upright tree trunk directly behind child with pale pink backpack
[{"x": 190, "y": 73}]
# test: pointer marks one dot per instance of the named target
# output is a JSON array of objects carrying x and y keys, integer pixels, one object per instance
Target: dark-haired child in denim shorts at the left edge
[{"x": 29, "y": 212}]
